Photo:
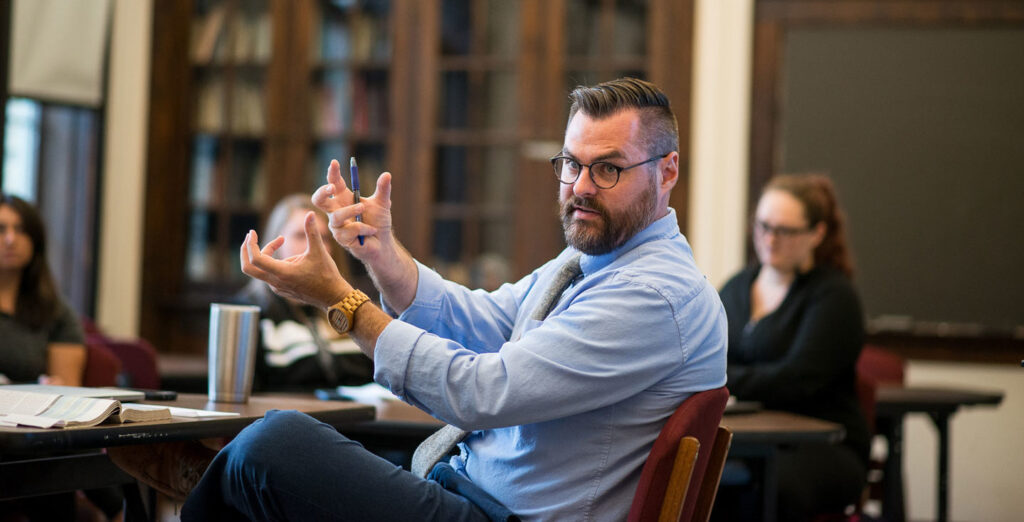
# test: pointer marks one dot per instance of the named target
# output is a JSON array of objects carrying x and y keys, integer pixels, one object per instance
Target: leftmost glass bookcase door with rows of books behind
[{"x": 230, "y": 55}]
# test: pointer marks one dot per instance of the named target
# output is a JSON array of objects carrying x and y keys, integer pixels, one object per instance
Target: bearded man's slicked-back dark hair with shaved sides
[{"x": 661, "y": 133}]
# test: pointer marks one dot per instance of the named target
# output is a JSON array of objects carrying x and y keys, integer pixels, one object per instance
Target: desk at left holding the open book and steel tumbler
[{"x": 35, "y": 462}]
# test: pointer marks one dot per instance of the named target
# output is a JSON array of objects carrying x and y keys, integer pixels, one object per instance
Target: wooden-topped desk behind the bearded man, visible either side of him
[{"x": 756, "y": 436}]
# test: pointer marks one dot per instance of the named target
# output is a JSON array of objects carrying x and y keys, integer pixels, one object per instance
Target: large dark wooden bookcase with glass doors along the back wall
[{"x": 462, "y": 101}]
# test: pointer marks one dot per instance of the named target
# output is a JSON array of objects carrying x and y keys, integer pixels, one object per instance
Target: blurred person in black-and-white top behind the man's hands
[{"x": 298, "y": 351}]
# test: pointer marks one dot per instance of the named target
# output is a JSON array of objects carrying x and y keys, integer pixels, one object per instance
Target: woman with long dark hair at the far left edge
[{"x": 42, "y": 339}]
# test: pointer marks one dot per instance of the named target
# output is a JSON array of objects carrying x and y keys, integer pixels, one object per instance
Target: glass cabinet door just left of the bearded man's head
[{"x": 477, "y": 146}]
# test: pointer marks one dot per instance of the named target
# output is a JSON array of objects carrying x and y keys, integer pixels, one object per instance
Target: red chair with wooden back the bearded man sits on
[{"x": 688, "y": 441}]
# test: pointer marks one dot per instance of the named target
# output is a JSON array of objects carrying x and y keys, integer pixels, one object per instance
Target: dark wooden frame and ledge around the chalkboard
[{"x": 774, "y": 19}]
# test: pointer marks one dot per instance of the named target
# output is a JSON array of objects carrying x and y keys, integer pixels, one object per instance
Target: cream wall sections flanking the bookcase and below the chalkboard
[{"x": 987, "y": 457}]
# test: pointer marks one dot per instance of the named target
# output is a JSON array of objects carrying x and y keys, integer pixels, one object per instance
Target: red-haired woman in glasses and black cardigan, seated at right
[{"x": 796, "y": 330}]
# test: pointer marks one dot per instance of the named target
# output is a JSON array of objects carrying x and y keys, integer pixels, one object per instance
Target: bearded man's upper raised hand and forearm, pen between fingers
[{"x": 390, "y": 265}]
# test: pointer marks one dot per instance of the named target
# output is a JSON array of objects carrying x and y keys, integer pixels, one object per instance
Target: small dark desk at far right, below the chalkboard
[{"x": 893, "y": 403}]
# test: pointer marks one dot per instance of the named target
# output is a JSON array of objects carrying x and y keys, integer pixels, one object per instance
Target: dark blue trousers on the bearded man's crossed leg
[{"x": 289, "y": 466}]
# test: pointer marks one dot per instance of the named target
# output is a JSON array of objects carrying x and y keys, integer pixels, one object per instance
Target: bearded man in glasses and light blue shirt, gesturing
[{"x": 564, "y": 399}]
